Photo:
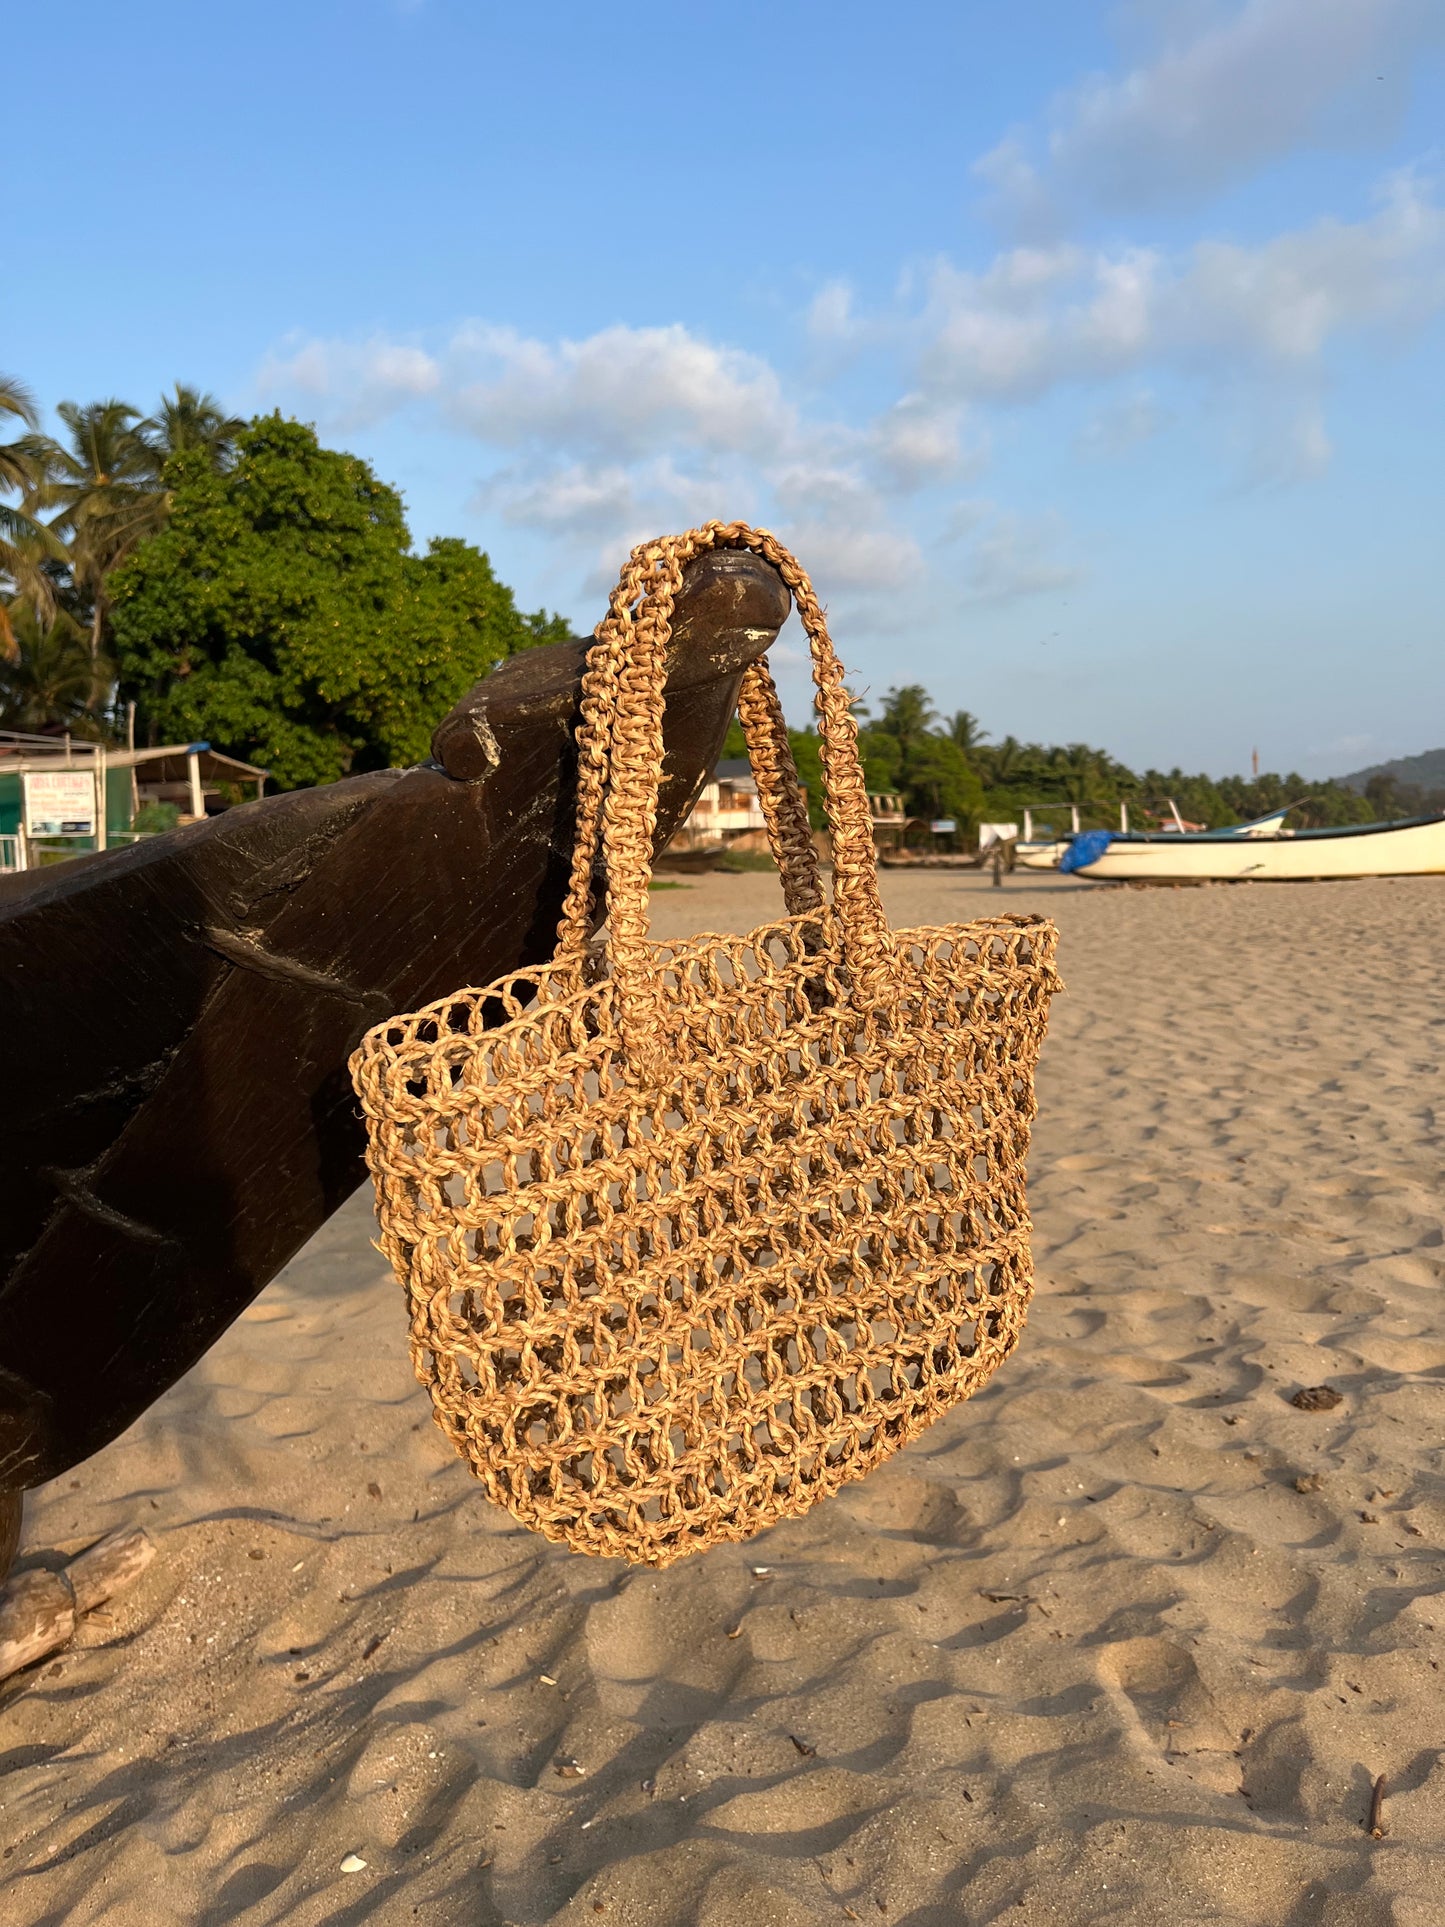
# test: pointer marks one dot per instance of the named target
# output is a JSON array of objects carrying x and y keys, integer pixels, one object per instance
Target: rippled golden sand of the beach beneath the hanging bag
[{"x": 1126, "y": 1639}]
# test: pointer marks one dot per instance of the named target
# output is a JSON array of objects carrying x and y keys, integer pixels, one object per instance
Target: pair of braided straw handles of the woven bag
[{"x": 621, "y": 758}]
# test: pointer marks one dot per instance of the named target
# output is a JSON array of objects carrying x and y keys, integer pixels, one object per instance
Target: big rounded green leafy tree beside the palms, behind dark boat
[{"x": 282, "y": 618}]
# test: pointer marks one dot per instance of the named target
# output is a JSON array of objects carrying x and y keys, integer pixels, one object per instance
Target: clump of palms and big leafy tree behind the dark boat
[{"x": 199, "y": 577}]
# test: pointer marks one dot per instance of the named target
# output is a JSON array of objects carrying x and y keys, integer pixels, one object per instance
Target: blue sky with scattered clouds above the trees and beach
[{"x": 1091, "y": 356}]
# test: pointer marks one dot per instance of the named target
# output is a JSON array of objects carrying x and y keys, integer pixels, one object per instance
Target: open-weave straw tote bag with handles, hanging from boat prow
[{"x": 696, "y": 1232}]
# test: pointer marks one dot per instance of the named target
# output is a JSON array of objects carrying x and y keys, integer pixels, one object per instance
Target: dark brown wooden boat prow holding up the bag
[{"x": 178, "y": 1119}]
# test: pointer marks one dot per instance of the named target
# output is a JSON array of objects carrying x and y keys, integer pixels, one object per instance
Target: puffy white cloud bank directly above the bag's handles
[{"x": 629, "y": 431}]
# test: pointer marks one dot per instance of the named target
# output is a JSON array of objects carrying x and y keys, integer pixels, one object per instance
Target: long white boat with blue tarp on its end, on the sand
[{"x": 1409, "y": 849}]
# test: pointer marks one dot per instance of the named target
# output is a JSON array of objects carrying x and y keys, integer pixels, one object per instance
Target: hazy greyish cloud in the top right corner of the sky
[{"x": 1224, "y": 93}]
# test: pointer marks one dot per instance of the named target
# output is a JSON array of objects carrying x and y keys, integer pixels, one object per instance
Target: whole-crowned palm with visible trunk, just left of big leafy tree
[{"x": 105, "y": 487}]
